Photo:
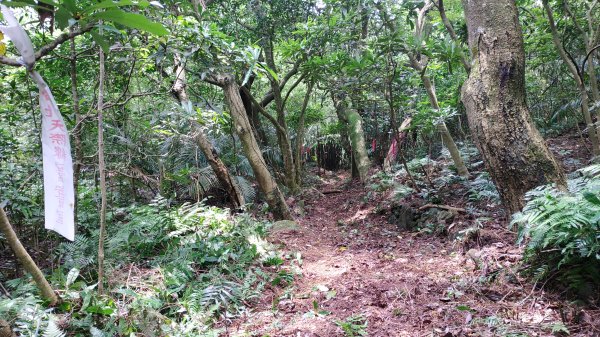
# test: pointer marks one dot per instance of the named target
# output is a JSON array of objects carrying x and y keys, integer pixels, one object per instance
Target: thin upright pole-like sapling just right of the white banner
[{"x": 102, "y": 172}]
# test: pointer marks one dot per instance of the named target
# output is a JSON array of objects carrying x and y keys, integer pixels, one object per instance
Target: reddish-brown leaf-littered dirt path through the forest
[{"x": 401, "y": 283}]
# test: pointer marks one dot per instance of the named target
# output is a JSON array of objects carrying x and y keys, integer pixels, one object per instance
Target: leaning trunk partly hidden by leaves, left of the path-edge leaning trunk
[{"x": 219, "y": 168}]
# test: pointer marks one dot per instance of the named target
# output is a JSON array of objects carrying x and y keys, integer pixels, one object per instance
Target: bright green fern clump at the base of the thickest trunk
[{"x": 560, "y": 231}]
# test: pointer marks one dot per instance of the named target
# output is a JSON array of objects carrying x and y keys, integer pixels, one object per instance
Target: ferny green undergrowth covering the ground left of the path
[{"x": 171, "y": 271}]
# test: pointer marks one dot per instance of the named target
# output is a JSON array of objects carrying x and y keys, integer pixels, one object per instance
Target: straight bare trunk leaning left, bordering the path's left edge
[{"x": 243, "y": 129}]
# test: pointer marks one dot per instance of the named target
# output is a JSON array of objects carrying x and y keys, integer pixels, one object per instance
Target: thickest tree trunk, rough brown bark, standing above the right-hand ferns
[{"x": 514, "y": 152}]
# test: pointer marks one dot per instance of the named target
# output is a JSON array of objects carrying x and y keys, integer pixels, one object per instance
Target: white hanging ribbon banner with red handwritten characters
[{"x": 59, "y": 197}]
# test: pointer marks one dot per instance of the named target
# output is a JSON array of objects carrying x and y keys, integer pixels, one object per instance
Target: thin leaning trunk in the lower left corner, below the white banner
[{"x": 25, "y": 259}]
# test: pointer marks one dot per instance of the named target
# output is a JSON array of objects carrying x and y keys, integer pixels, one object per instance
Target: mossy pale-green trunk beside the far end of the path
[{"x": 353, "y": 122}]
